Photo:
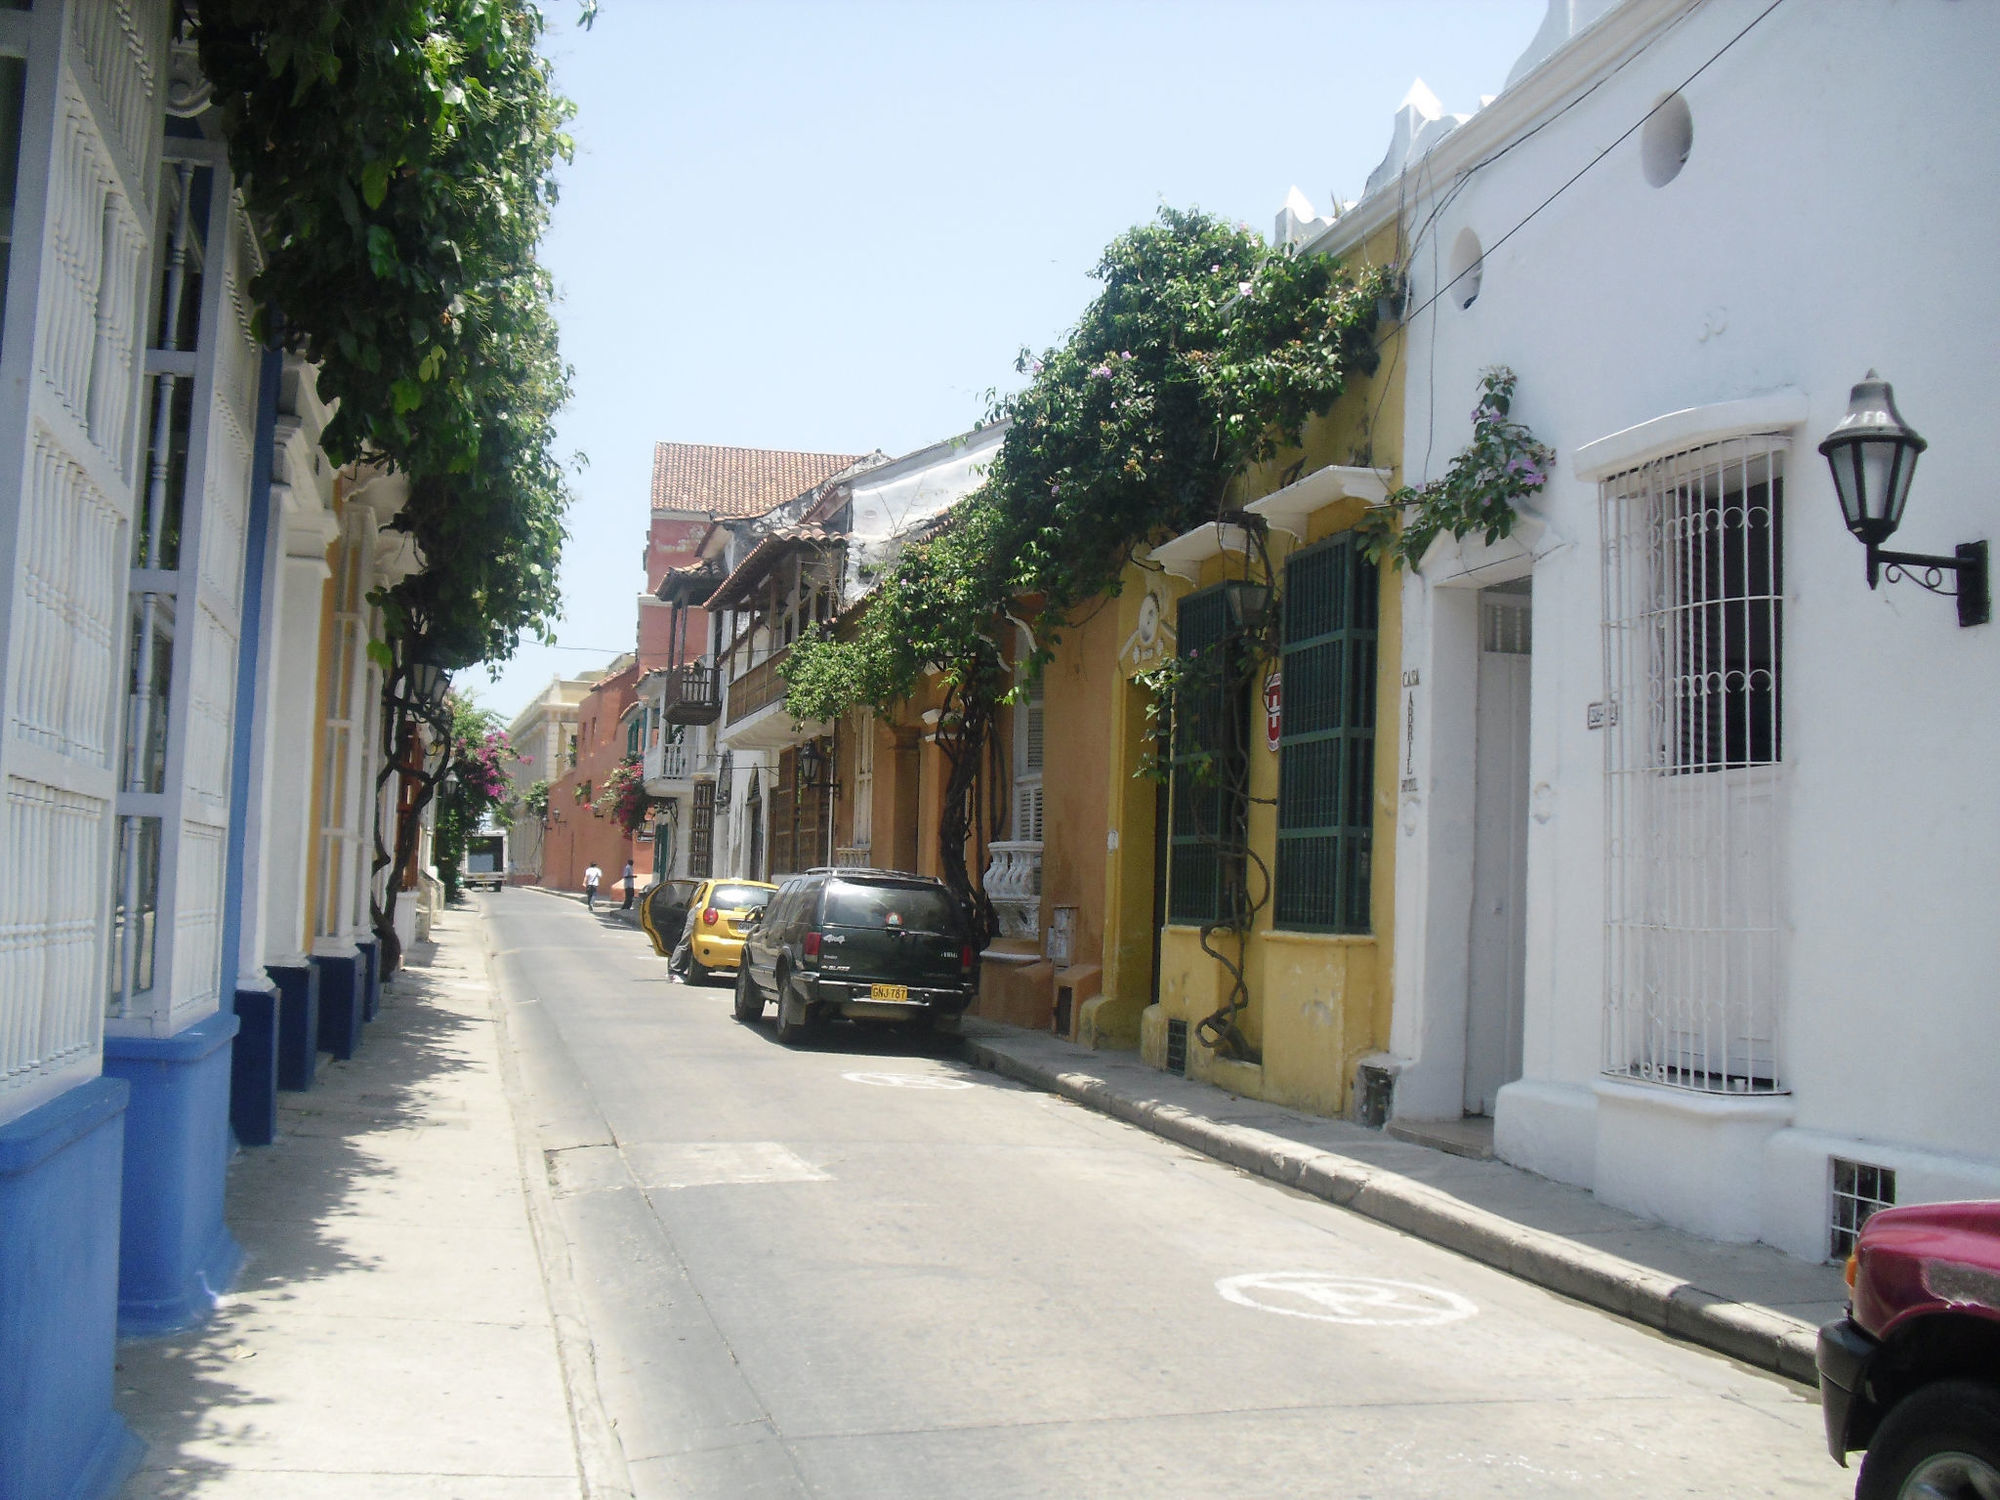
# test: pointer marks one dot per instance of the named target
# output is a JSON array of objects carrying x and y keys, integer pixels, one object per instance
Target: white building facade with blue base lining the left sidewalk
[{"x": 169, "y": 529}]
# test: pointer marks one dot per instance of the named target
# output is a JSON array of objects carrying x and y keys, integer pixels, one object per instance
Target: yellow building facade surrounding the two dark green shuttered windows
[{"x": 1319, "y": 999}]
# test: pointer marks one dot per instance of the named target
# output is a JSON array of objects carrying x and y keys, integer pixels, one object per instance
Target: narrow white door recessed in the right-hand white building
[{"x": 1497, "y": 979}]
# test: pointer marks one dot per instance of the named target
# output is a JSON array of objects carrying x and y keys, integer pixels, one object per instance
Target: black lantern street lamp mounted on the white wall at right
[{"x": 1873, "y": 455}]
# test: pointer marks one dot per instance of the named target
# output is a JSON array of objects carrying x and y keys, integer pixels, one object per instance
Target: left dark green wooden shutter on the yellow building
[{"x": 1203, "y": 769}]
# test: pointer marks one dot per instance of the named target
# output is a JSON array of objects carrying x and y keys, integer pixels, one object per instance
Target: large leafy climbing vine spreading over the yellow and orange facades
[{"x": 1203, "y": 353}]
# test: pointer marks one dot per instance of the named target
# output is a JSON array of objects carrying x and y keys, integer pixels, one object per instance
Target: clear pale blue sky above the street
[{"x": 831, "y": 225}]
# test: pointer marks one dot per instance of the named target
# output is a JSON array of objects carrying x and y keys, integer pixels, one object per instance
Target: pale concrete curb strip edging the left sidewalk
[{"x": 599, "y": 1455}]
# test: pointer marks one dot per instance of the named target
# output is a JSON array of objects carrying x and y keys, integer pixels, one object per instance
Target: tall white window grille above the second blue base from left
[{"x": 187, "y": 561}]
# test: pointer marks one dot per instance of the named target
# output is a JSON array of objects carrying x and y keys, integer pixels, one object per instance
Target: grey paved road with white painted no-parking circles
[{"x": 861, "y": 1269}]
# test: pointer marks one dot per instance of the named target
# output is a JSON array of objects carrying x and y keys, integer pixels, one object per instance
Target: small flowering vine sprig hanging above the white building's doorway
[{"x": 1479, "y": 493}]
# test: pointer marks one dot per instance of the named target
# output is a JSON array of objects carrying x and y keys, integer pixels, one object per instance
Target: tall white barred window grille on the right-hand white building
[{"x": 1693, "y": 757}]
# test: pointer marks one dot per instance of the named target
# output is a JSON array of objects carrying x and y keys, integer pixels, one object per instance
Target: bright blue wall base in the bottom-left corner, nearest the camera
[{"x": 59, "y": 1299}]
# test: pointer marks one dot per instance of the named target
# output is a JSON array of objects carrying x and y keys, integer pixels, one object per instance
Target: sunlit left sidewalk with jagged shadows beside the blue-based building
[{"x": 393, "y": 1333}]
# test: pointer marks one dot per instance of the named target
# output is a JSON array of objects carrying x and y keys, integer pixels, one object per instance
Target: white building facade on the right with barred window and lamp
[{"x": 1699, "y": 837}]
